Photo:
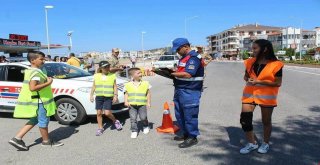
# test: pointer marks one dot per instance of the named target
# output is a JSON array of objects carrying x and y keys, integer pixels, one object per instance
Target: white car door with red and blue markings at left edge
[{"x": 11, "y": 84}]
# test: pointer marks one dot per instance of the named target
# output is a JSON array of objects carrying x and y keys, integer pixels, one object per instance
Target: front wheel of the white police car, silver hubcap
[{"x": 69, "y": 111}]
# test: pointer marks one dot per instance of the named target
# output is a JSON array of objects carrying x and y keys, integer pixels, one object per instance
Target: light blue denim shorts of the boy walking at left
[{"x": 41, "y": 120}]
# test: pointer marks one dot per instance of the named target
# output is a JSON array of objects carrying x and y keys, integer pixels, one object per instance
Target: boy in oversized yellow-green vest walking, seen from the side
[{"x": 36, "y": 102}]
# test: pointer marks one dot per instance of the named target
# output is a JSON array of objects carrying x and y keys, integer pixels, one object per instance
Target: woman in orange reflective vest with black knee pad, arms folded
[{"x": 263, "y": 78}]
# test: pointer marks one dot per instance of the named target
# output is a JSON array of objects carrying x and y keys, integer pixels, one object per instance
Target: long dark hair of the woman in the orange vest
[{"x": 268, "y": 54}]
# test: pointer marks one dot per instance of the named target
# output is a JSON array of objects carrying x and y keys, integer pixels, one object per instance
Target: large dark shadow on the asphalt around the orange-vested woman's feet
[{"x": 296, "y": 141}]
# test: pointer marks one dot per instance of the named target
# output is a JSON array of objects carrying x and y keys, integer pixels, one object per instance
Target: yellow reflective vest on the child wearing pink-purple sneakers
[{"x": 104, "y": 87}]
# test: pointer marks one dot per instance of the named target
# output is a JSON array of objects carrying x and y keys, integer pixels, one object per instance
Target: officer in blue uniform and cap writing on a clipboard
[{"x": 188, "y": 84}]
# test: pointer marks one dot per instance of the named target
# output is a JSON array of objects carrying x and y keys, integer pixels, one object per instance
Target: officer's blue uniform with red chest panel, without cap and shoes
[{"x": 188, "y": 92}]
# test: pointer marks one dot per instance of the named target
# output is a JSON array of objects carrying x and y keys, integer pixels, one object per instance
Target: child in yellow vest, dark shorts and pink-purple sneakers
[{"x": 105, "y": 87}]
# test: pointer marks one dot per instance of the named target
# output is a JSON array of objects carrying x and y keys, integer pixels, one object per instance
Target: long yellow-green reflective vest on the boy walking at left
[{"x": 27, "y": 105}]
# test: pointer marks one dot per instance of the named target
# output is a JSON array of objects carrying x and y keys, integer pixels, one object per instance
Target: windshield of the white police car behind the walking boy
[{"x": 63, "y": 71}]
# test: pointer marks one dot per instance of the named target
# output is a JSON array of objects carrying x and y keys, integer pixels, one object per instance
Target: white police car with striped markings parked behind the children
[{"x": 71, "y": 89}]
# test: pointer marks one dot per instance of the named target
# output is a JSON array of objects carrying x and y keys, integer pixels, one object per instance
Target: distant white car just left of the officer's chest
[{"x": 167, "y": 61}]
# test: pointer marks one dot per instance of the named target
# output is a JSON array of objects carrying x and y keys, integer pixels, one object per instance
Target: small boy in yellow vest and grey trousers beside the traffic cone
[{"x": 137, "y": 97}]
